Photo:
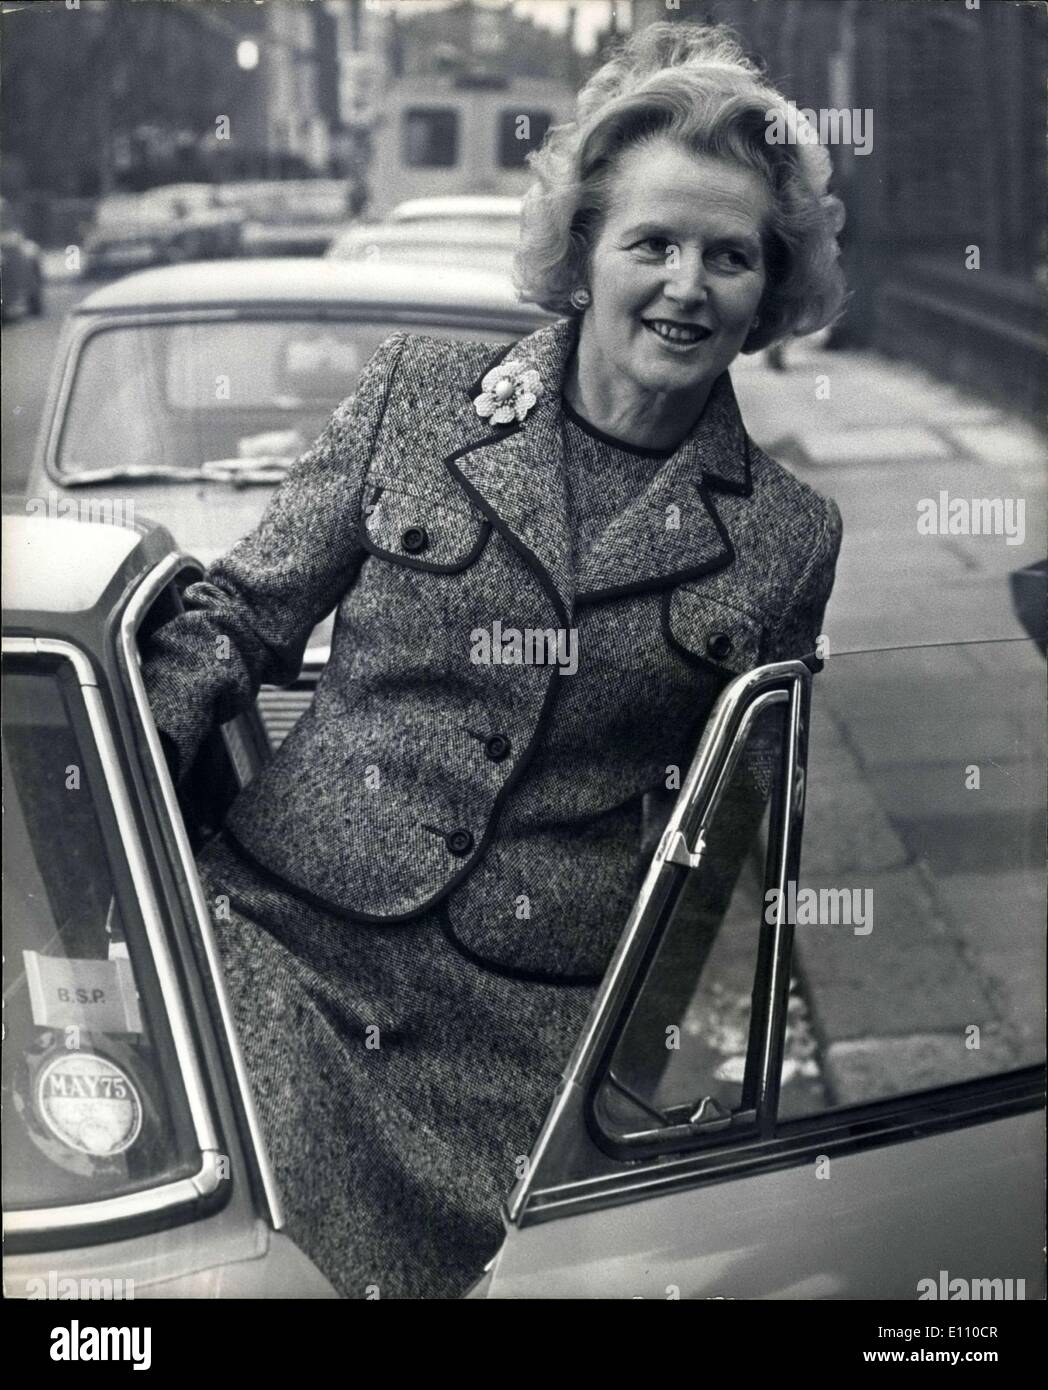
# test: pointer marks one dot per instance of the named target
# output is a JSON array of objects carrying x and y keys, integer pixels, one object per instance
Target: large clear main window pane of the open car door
[{"x": 921, "y": 903}]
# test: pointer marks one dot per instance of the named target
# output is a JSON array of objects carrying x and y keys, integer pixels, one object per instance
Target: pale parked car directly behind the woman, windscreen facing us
[{"x": 188, "y": 393}]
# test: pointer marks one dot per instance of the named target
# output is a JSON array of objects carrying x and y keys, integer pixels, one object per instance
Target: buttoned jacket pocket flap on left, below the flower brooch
[{"x": 422, "y": 533}]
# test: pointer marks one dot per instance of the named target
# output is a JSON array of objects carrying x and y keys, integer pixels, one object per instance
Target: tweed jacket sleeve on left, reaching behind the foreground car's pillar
[{"x": 249, "y": 619}]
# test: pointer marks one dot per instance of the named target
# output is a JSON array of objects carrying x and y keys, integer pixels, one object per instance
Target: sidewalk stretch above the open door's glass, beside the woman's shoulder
[{"x": 887, "y": 437}]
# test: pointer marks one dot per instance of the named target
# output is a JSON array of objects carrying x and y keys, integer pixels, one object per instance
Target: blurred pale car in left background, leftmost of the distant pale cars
[{"x": 165, "y": 226}]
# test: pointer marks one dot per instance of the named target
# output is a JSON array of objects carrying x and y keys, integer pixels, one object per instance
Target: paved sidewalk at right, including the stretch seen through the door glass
[{"x": 956, "y": 874}]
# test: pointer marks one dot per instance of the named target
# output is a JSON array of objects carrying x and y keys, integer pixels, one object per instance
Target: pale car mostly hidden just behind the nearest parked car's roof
[{"x": 487, "y": 245}]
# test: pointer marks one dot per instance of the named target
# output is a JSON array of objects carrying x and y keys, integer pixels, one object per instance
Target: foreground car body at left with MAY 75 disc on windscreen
[{"x": 130, "y": 1142}]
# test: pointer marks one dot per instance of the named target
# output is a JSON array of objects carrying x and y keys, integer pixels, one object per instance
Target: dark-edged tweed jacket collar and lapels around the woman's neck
[{"x": 516, "y": 475}]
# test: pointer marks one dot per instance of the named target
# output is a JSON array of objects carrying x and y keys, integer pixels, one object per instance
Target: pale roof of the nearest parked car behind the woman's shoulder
[{"x": 290, "y": 280}]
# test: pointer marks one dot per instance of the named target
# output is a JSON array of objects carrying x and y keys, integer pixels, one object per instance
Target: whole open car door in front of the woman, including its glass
[{"x": 821, "y": 1085}]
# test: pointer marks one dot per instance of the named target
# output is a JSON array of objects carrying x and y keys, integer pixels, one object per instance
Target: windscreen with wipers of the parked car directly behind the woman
[{"x": 181, "y": 395}]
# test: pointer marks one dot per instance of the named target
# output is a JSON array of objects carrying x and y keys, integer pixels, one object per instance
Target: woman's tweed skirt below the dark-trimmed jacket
[{"x": 400, "y": 1085}]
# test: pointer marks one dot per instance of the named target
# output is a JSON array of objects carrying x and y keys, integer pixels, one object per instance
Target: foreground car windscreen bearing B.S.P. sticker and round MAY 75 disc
[{"x": 94, "y": 1103}]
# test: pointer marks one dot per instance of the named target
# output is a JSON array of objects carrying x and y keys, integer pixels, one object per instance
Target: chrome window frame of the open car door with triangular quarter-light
[{"x": 559, "y": 1182}]
